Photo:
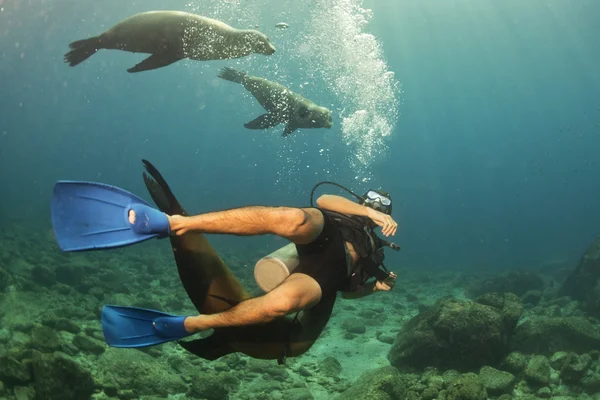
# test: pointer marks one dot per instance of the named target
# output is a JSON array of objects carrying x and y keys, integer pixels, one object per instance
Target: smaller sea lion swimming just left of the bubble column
[{"x": 283, "y": 105}]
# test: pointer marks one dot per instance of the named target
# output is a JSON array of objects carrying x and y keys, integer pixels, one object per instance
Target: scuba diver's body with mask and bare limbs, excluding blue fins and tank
[{"x": 336, "y": 253}]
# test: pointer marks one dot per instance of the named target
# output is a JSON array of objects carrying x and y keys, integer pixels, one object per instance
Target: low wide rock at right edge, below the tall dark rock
[{"x": 549, "y": 335}]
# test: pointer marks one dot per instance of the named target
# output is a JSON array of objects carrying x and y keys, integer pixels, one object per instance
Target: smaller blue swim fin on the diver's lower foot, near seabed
[{"x": 140, "y": 327}]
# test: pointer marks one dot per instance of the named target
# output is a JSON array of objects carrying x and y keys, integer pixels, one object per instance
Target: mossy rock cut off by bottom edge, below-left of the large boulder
[{"x": 384, "y": 383}]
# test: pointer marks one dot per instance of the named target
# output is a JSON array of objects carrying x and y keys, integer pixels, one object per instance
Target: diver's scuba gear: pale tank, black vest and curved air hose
[{"x": 271, "y": 270}]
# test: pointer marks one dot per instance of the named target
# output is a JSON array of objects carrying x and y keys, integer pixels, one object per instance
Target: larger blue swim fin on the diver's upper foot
[{"x": 92, "y": 215}]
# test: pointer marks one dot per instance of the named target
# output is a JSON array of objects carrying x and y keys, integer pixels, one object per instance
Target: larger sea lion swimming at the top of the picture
[{"x": 170, "y": 36}]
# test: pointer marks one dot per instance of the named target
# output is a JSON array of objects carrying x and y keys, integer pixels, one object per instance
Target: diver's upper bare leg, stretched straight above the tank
[{"x": 245, "y": 221}]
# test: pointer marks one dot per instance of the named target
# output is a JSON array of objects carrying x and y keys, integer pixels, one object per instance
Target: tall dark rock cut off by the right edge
[{"x": 584, "y": 282}]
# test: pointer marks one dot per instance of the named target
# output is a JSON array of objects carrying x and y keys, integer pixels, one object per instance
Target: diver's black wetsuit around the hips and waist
[{"x": 324, "y": 259}]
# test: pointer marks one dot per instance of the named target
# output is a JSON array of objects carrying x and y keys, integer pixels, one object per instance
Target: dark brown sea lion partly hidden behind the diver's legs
[{"x": 213, "y": 288}]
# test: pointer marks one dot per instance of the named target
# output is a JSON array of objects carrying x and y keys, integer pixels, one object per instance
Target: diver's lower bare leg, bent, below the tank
[{"x": 296, "y": 293}]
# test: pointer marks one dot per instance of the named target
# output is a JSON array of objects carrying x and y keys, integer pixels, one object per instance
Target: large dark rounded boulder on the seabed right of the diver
[{"x": 452, "y": 333}]
